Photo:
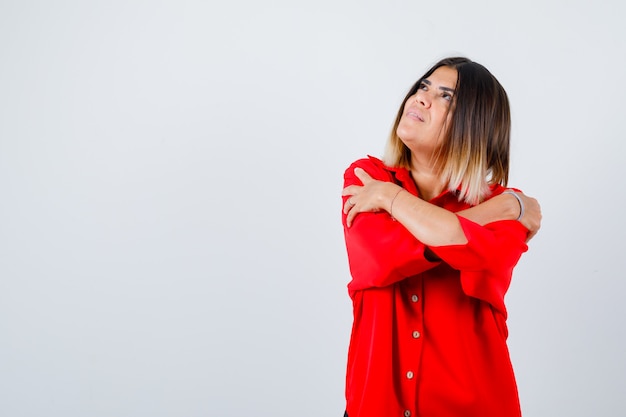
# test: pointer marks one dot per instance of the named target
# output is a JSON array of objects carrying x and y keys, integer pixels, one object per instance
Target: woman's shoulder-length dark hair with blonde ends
[{"x": 474, "y": 153}]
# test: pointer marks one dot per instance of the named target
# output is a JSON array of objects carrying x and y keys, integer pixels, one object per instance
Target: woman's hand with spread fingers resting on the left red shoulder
[{"x": 371, "y": 197}]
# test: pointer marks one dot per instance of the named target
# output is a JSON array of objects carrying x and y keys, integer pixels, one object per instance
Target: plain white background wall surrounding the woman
[{"x": 170, "y": 178}]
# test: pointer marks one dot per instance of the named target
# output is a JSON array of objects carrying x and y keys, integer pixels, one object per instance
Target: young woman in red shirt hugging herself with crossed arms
[{"x": 432, "y": 236}]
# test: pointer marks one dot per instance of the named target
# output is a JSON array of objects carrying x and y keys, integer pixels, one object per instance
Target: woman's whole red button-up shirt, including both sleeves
[{"x": 429, "y": 339}]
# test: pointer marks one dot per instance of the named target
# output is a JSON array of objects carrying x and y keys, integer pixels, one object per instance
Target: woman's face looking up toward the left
[{"x": 425, "y": 113}]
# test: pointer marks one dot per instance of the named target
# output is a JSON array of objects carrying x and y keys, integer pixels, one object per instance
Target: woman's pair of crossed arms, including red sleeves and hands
[{"x": 473, "y": 241}]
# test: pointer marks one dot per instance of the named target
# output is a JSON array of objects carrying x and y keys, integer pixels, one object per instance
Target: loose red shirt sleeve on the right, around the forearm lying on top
[{"x": 487, "y": 260}]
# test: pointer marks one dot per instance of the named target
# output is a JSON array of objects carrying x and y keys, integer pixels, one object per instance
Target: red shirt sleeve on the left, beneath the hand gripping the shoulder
[{"x": 381, "y": 251}]
